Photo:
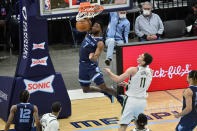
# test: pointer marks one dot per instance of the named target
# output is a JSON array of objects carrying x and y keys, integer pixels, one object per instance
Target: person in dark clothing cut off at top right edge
[{"x": 191, "y": 21}]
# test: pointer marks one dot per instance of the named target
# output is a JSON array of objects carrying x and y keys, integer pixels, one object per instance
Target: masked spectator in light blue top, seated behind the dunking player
[{"x": 117, "y": 33}]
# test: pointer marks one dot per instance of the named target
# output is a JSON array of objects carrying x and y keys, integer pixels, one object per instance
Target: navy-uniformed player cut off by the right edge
[{"x": 189, "y": 111}]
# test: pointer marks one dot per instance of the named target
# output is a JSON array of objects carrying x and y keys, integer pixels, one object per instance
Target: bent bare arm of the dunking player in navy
[{"x": 99, "y": 49}]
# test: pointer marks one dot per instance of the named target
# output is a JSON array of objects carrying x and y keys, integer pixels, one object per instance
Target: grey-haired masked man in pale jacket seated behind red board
[{"x": 148, "y": 26}]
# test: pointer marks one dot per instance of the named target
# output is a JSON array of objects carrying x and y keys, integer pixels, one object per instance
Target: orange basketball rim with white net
[{"x": 86, "y": 10}]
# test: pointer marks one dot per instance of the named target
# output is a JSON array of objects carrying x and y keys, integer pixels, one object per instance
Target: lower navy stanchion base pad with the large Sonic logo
[{"x": 43, "y": 92}]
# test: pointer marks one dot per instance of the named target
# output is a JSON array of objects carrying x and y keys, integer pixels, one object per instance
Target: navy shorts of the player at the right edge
[{"x": 187, "y": 123}]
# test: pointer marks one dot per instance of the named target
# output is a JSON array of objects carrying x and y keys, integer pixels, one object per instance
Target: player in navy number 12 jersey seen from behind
[{"x": 24, "y": 113}]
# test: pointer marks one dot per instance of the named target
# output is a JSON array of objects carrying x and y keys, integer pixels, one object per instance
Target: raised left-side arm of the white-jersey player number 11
[{"x": 129, "y": 72}]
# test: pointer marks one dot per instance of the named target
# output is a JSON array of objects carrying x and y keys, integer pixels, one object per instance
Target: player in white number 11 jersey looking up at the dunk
[{"x": 140, "y": 80}]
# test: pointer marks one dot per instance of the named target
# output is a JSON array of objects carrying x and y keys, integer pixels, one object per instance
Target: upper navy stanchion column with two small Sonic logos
[{"x": 34, "y": 55}]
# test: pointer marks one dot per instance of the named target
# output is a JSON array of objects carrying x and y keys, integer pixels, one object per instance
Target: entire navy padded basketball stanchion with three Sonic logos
[{"x": 35, "y": 71}]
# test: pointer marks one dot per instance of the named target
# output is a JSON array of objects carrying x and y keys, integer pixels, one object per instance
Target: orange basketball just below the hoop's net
[{"x": 83, "y": 25}]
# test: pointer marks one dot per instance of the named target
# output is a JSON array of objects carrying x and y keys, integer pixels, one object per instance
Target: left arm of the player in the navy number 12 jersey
[{"x": 11, "y": 117}]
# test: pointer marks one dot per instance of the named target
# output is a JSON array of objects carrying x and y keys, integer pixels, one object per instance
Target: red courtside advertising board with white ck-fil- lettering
[{"x": 172, "y": 60}]
